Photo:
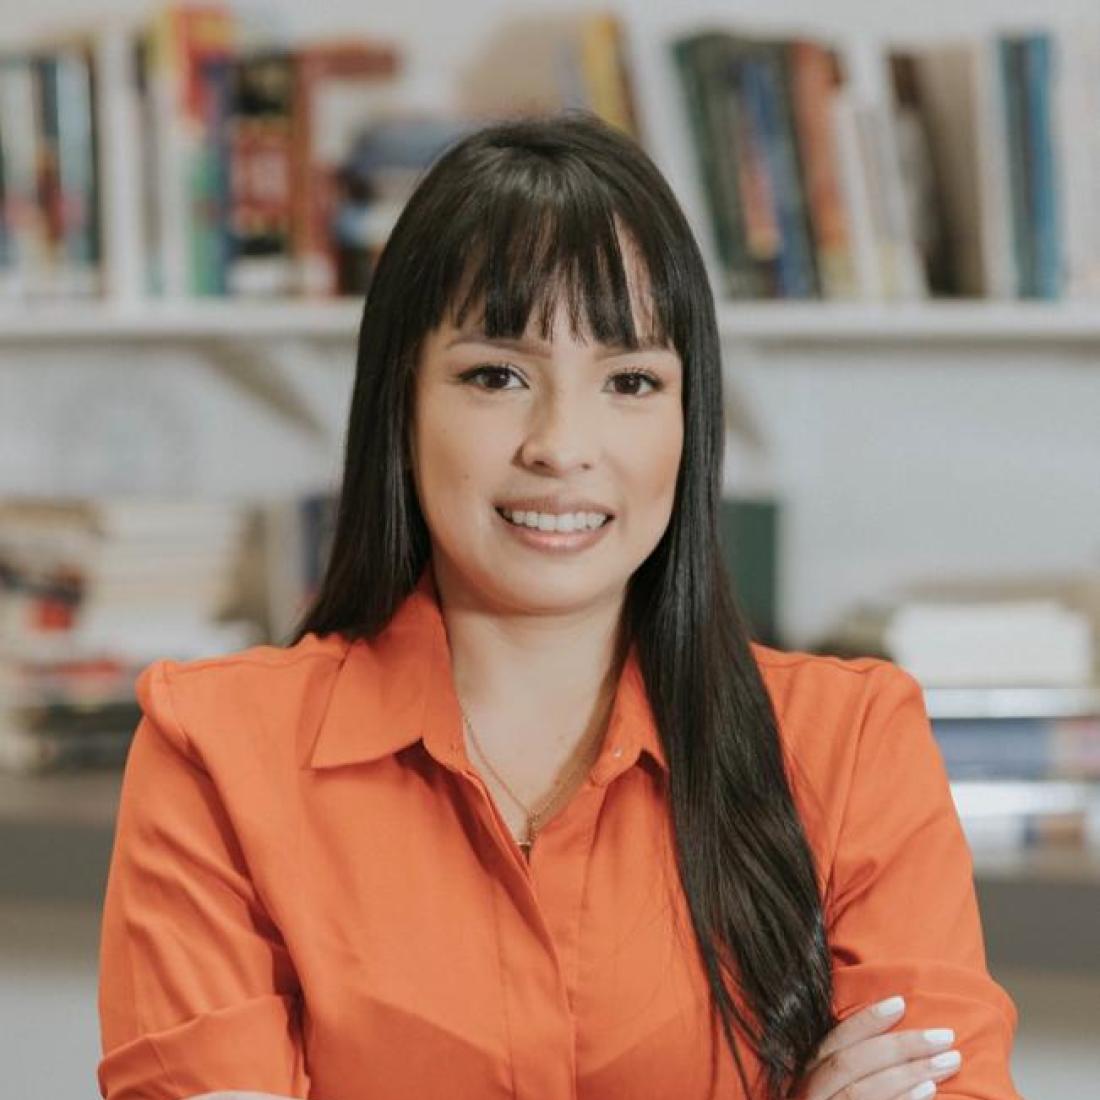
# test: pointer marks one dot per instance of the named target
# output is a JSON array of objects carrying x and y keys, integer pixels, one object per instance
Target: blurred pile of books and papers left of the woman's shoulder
[{"x": 91, "y": 593}]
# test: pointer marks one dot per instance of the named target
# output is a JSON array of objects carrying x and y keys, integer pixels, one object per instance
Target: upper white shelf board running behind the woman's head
[{"x": 767, "y": 323}]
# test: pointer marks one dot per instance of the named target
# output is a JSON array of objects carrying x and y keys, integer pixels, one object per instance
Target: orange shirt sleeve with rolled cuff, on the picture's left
[{"x": 197, "y": 993}]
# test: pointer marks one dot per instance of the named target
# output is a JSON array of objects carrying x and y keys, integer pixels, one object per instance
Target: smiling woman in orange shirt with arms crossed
[{"x": 521, "y": 810}]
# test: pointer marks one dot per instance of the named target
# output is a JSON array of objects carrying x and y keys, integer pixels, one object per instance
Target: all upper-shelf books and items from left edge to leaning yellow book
[{"x": 189, "y": 158}]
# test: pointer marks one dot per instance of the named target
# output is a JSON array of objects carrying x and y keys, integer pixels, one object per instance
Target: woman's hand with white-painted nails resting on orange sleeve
[{"x": 857, "y": 1062}]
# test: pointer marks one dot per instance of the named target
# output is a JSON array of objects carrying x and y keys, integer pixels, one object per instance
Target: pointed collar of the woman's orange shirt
[{"x": 398, "y": 689}]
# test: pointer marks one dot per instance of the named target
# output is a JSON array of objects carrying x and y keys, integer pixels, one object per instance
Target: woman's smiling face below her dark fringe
[{"x": 587, "y": 427}]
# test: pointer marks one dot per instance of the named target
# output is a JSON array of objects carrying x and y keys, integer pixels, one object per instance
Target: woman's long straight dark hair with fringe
[{"x": 514, "y": 216}]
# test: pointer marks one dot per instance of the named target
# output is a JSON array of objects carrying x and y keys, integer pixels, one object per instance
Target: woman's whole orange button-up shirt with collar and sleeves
[{"x": 312, "y": 895}]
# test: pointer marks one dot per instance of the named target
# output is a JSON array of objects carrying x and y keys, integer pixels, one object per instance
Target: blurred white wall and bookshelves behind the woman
[{"x": 899, "y": 208}]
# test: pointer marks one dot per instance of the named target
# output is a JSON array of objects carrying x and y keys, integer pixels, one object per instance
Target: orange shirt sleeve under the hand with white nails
[{"x": 903, "y": 910}]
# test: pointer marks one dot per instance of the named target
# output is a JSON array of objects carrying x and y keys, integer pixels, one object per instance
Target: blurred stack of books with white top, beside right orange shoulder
[{"x": 1013, "y": 689}]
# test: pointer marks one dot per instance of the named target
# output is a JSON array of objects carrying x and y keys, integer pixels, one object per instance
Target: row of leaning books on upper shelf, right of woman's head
[{"x": 965, "y": 169}]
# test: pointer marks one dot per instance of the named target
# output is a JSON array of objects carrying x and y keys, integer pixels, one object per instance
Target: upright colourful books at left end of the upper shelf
[{"x": 170, "y": 160}]
